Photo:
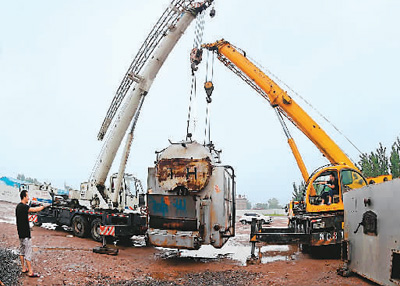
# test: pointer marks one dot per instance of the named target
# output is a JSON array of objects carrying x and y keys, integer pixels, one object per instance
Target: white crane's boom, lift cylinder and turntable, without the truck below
[{"x": 125, "y": 107}]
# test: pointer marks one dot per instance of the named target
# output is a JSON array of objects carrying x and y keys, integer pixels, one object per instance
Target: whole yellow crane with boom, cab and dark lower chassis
[{"x": 319, "y": 219}]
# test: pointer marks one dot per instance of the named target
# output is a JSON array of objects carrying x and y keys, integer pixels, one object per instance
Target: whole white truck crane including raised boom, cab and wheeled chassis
[{"x": 95, "y": 209}]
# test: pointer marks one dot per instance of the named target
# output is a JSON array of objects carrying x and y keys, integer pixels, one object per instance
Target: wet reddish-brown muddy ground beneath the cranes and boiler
[{"x": 63, "y": 259}]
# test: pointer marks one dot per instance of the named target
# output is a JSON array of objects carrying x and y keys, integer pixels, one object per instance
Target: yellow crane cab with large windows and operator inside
[{"x": 318, "y": 189}]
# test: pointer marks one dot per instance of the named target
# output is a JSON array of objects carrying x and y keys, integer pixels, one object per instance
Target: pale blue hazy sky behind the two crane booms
[{"x": 62, "y": 61}]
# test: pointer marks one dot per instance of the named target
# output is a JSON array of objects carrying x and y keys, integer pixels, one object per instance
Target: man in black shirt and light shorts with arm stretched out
[{"x": 24, "y": 233}]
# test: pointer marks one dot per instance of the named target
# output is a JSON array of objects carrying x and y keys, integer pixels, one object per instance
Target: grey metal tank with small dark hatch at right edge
[{"x": 372, "y": 232}]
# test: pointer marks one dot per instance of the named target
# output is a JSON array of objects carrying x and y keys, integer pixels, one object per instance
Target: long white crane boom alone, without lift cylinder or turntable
[{"x": 170, "y": 37}]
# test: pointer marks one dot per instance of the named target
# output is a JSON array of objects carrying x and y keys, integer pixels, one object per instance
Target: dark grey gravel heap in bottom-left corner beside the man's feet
[{"x": 10, "y": 270}]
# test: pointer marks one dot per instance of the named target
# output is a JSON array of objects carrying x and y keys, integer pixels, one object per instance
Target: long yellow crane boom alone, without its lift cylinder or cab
[{"x": 278, "y": 98}]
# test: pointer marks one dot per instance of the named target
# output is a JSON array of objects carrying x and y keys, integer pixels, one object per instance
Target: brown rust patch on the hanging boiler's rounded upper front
[{"x": 192, "y": 174}]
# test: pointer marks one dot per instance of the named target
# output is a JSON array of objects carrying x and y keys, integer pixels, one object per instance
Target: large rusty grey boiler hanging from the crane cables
[{"x": 190, "y": 197}]
